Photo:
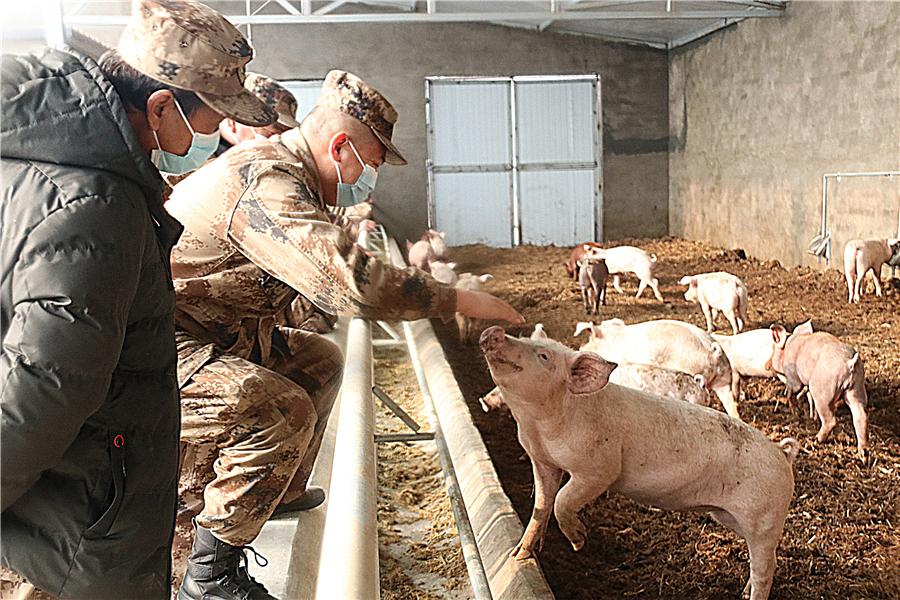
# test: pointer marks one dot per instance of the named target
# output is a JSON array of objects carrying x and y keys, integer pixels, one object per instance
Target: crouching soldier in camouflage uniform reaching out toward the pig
[{"x": 256, "y": 395}]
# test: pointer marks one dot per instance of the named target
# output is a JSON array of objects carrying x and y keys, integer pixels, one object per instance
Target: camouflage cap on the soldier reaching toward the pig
[{"x": 348, "y": 93}]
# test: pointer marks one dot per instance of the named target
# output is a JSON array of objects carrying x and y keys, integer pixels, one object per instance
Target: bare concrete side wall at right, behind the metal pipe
[{"x": 759, "y": 112}]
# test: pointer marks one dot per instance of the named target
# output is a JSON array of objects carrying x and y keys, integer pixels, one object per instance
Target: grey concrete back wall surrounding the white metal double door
[{"x": 396, "y": 59}]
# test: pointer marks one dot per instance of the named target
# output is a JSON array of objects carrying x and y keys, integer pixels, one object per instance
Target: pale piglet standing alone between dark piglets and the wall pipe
[{"x": 716, "y": 292}]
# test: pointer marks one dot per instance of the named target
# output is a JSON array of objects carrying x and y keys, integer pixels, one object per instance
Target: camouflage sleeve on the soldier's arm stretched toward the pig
[{"x": 277, "y": 224}]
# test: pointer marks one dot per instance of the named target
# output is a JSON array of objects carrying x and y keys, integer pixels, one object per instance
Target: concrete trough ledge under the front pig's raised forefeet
[{"x": 496, "y": 525}]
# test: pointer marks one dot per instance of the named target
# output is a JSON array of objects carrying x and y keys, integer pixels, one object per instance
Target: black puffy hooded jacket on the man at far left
[{"x": 90, "y": 412}]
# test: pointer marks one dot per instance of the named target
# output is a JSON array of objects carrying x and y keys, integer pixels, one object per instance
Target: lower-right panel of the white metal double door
[{"x": 557, "y": 207}]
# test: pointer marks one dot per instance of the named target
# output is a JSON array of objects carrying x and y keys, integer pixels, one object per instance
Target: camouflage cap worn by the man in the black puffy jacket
[{"x": 190, "y": 46}]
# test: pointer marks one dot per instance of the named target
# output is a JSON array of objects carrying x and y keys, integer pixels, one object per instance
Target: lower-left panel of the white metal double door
[{"x": 473, "y": 208}]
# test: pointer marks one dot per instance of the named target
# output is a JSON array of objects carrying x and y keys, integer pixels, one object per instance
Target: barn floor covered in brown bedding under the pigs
[{"x": 841, "y": 538}]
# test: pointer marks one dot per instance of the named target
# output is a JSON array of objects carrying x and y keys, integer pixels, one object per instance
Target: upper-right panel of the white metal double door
[{"x": 555, "y": 122}]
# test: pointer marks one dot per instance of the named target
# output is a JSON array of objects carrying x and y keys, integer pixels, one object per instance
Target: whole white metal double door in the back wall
[{"x": 515, "y": 160}]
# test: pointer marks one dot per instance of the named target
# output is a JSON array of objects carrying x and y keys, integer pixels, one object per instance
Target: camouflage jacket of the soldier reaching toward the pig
[{"x": 257, "y": 232}]
